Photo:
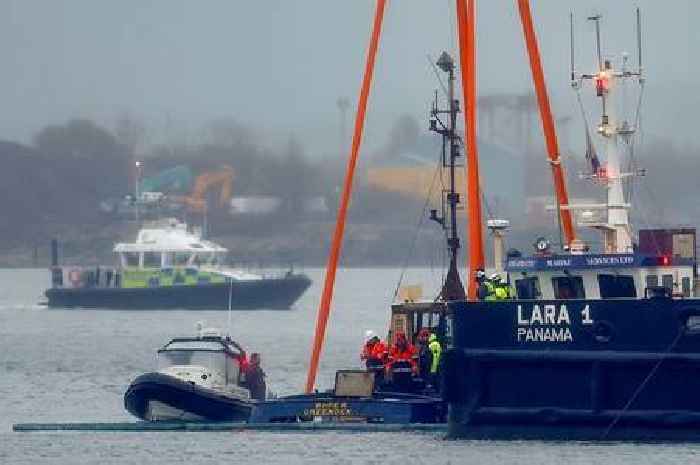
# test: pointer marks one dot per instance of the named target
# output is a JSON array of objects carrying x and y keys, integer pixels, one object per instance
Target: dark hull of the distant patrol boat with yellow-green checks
[{"x": 279, "y": 293}]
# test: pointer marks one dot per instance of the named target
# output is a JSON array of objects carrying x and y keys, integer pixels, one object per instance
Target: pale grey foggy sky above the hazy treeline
[{"x": 280, "y": 65}]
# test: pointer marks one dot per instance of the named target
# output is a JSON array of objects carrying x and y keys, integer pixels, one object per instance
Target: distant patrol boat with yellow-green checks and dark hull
[{"x": 171, "y": 266}]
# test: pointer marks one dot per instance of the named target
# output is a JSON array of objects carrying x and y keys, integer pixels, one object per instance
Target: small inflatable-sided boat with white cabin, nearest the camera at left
[{"x": 203, "y": 378}]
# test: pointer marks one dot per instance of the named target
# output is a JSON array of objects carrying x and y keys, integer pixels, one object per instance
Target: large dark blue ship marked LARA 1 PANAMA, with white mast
[{"x": 597, "y": 345}]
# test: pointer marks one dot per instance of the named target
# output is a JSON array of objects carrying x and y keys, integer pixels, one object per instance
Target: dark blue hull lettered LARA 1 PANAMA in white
[{"x": 622, "y": 369}]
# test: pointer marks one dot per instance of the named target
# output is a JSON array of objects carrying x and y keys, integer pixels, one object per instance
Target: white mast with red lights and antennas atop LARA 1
[{"x": 616, "y": 131}]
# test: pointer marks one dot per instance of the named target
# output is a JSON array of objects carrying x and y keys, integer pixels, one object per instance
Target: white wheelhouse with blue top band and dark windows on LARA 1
[{"x": 601, "y": 276}]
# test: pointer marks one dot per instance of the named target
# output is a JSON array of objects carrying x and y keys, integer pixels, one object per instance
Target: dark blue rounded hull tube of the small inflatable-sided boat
[{"x": 159, "y": 397}]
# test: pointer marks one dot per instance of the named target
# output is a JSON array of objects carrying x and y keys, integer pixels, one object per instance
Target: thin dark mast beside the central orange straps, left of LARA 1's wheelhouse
[{"x": 452, "y": 288}]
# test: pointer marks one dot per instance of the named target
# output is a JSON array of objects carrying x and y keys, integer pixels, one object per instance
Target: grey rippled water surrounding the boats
[{"x": 74, "y": 365}]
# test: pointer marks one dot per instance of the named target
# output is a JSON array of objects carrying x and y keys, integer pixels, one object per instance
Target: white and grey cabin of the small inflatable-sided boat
[{"x": 210, "y": 360}]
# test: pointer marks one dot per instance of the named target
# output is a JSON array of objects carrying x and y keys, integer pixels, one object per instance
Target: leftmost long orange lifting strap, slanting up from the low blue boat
[{"x": 331, "y": 267}]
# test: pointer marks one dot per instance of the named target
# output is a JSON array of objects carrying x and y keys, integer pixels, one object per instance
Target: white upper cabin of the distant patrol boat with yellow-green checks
[{"x": 168, "y": 244}]
